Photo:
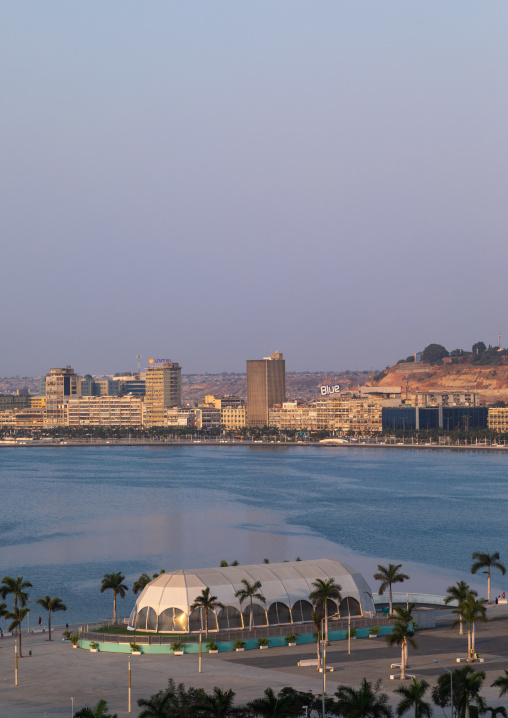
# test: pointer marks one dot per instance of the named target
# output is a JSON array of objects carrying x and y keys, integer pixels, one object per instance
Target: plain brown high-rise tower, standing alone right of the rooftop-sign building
[{"x": 266, "y": 386}]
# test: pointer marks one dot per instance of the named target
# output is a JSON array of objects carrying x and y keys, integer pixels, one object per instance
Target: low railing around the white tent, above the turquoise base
[{"x": 88, "y": 634}]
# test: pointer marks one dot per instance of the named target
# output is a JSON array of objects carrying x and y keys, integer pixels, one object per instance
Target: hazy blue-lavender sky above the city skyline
[{"x": 214, "y": 181}]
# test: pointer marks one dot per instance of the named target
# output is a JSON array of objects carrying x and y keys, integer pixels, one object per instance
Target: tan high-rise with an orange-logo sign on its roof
[{"x": 163, "y": 390}]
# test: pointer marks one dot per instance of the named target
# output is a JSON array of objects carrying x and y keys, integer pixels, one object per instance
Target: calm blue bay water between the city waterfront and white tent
[{"x": 69, "y": 515}]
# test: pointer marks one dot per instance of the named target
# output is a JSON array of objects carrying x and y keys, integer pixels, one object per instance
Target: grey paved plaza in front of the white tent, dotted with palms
[{"x": 55, "y": 672}]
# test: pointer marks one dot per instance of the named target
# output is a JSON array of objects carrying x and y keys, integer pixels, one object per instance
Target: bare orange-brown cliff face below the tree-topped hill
[{"x": 490, "y": 381}]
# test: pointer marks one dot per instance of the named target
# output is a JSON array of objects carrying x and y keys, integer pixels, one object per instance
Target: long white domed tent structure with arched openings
[{"x": 164, "y": 605}]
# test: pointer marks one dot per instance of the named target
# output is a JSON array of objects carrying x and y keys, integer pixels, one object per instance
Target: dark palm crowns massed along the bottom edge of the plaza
[{"x": 366, "y": 701}]
